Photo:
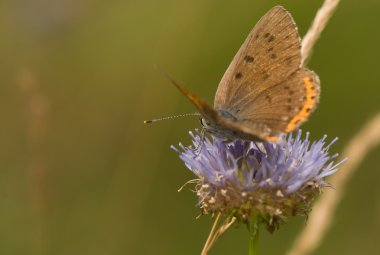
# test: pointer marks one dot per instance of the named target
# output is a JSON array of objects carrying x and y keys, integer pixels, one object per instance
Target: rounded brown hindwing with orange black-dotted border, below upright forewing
[{"x": 286, "y": 105}]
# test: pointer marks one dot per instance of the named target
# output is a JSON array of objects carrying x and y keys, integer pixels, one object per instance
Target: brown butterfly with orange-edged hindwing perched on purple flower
[{"x": 265, "y": 91}]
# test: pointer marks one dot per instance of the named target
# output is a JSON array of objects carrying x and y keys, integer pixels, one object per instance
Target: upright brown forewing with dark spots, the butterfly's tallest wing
[{"x": 270, "y": 54}]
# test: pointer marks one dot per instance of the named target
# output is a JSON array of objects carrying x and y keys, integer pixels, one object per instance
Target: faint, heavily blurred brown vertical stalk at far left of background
[{"x": 36, "y": 114}]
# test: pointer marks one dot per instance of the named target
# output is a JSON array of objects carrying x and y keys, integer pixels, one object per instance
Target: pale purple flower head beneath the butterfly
[{"x": 274, "y": 180}]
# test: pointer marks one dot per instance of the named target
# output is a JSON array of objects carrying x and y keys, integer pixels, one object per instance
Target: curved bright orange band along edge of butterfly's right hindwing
[{"x": 311, "y": 94}]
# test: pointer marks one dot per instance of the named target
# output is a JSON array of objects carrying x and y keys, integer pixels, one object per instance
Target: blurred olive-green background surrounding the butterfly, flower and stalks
[{"x": 79, "y": 171}]
